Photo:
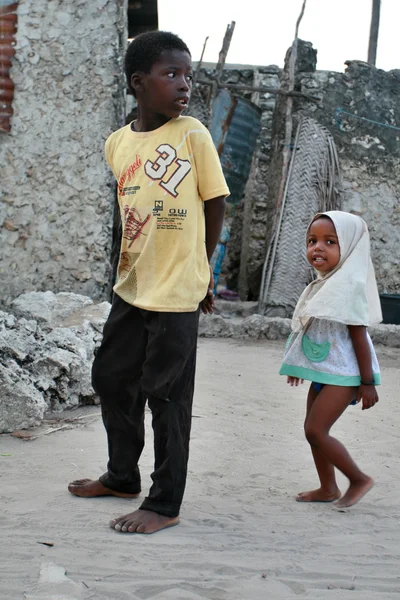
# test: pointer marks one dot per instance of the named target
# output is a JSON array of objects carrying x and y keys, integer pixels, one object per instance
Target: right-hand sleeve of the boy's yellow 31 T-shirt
[{"x": 210, "y": 178}]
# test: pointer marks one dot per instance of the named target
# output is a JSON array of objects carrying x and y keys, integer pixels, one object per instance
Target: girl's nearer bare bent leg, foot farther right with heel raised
[{"x": 327, "y": 407}]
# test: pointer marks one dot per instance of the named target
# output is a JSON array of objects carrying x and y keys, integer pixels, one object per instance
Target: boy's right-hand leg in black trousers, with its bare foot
[{"x": 168, "y": 378}]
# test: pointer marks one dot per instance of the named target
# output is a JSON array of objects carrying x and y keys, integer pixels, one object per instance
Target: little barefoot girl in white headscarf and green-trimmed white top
[{"x": 330, "y": 346}]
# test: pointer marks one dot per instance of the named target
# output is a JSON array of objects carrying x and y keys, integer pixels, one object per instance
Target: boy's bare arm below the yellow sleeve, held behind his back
[{"x": 214, "y": 212}]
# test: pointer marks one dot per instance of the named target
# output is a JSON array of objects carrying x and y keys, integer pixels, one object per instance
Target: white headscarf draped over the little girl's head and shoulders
[{"x": 347, "y": 294}]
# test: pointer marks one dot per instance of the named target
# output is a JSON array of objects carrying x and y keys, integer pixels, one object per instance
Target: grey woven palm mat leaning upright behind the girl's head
[{"x": 313, "y": 187}]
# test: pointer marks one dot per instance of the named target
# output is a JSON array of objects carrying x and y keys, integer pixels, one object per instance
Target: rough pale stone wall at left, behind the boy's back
[{"x": 57, "y": 195}]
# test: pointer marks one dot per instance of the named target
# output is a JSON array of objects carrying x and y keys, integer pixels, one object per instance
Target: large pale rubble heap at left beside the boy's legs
[{"x": 47, "y": 350}]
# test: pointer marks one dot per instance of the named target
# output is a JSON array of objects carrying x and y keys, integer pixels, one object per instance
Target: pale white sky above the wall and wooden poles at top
[{"x": 338, "y": 29}]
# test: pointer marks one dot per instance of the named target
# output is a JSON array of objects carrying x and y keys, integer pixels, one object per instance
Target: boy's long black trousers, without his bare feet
[{"x": 147, "y": 355}]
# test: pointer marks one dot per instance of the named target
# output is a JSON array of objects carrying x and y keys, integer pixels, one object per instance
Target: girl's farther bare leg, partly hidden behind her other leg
[{"x": 328, "y": 491}]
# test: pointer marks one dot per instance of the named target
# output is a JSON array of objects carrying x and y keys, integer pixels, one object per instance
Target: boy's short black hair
[{"x": 146, "y": 49}]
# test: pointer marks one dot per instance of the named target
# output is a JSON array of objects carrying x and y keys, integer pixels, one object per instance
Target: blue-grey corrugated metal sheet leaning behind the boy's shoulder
[{"x": 234, "y": 128}]
